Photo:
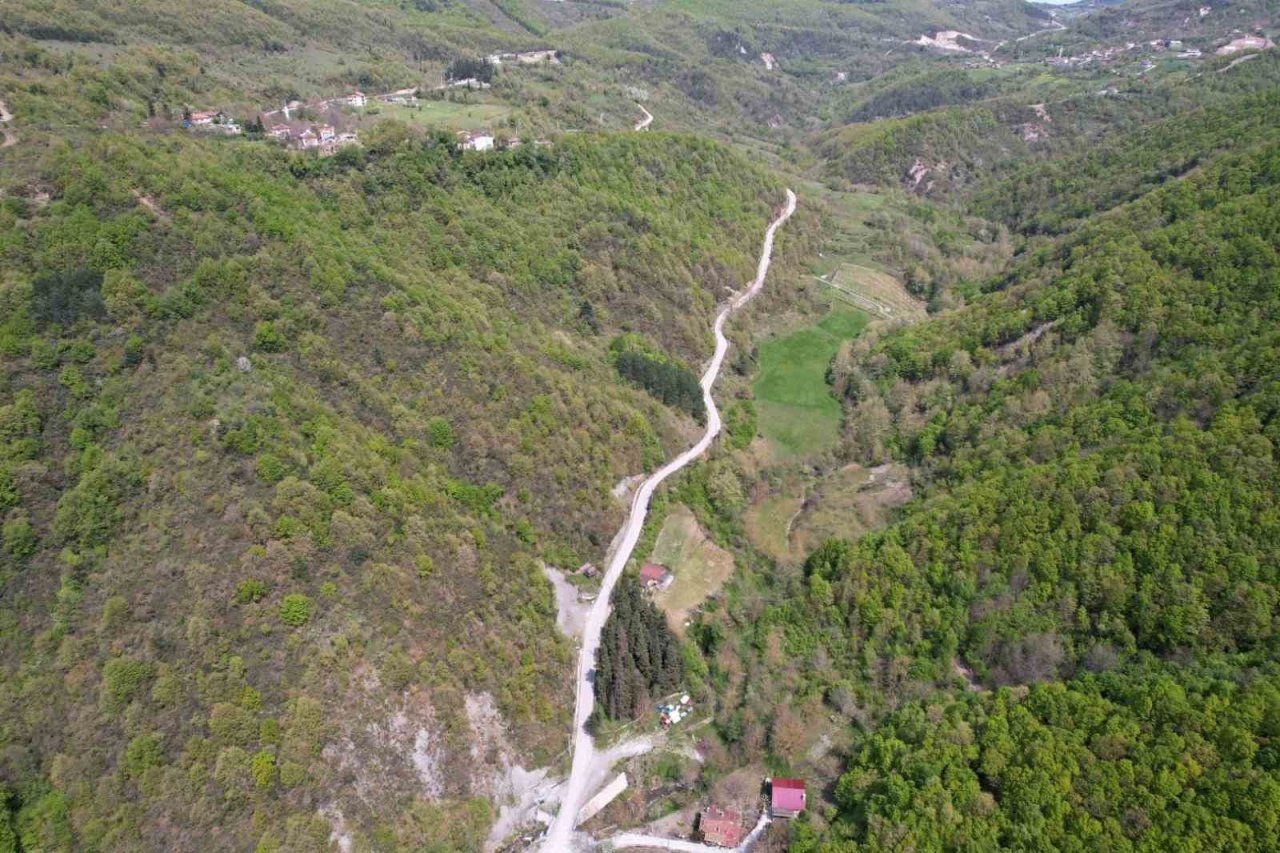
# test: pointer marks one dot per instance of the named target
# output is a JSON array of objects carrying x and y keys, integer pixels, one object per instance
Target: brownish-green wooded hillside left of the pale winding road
[{"x": 286, "y": 437}]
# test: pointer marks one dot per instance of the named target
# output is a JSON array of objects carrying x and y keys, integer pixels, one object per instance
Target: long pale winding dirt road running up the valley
[{"x": 561, "y": 832}]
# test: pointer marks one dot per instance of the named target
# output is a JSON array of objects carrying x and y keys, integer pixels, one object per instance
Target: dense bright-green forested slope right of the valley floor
[{"x": 1068, "y": 638}]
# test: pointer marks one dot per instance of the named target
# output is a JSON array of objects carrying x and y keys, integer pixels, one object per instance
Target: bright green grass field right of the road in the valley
[{"x": 798, "y": 413}]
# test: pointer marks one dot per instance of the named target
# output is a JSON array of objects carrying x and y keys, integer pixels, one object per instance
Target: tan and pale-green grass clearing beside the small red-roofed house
[{"x": 700, "y": 565}]
